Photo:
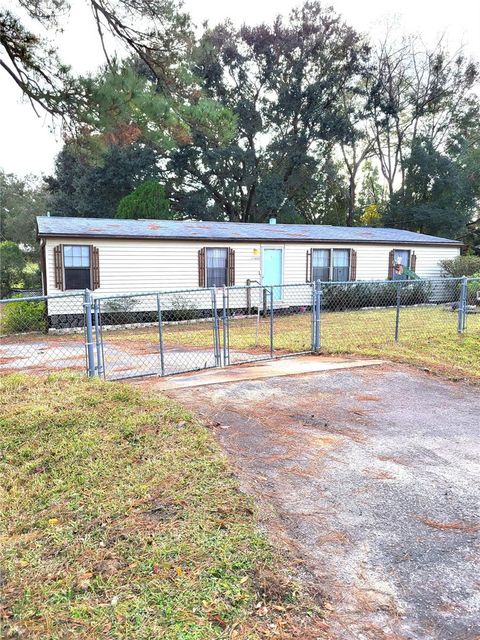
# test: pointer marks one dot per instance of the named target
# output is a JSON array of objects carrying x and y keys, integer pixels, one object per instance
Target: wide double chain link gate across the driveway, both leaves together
[{"x": 171, "y": 332}]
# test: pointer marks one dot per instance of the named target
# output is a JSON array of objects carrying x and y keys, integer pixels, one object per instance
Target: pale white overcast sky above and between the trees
[{"x": 27, "y": 145}]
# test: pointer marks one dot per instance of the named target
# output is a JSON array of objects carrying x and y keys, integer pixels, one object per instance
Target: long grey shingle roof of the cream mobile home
[{"x": 231, "y": 231}]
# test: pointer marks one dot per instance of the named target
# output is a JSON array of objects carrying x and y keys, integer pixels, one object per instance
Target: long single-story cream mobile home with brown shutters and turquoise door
[{"x": 121, "y": 256}]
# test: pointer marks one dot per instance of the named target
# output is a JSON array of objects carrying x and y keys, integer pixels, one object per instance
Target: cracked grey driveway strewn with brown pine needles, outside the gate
[{"x": 371, "y": 477}]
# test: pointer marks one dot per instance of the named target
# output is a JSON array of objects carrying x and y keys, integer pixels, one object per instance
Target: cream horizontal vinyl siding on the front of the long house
[{"x": 153, "y": 265}]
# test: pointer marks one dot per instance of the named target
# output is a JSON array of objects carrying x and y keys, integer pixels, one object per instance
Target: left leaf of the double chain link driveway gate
[{"x": 156, "y": 334}]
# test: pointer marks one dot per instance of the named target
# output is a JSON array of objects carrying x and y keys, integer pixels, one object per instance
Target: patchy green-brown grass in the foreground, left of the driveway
[{"x": 121, "y": 519}]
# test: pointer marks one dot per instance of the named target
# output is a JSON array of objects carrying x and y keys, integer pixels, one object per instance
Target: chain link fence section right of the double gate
[{"x": 418, "y": 321}]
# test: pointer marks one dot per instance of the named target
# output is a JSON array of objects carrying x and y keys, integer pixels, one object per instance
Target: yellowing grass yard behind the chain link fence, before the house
[{"x": 428, "y": 337}]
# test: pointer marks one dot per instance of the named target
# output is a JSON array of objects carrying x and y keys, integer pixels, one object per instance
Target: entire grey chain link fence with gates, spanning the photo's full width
[{"x": 169, "y": 332}]
